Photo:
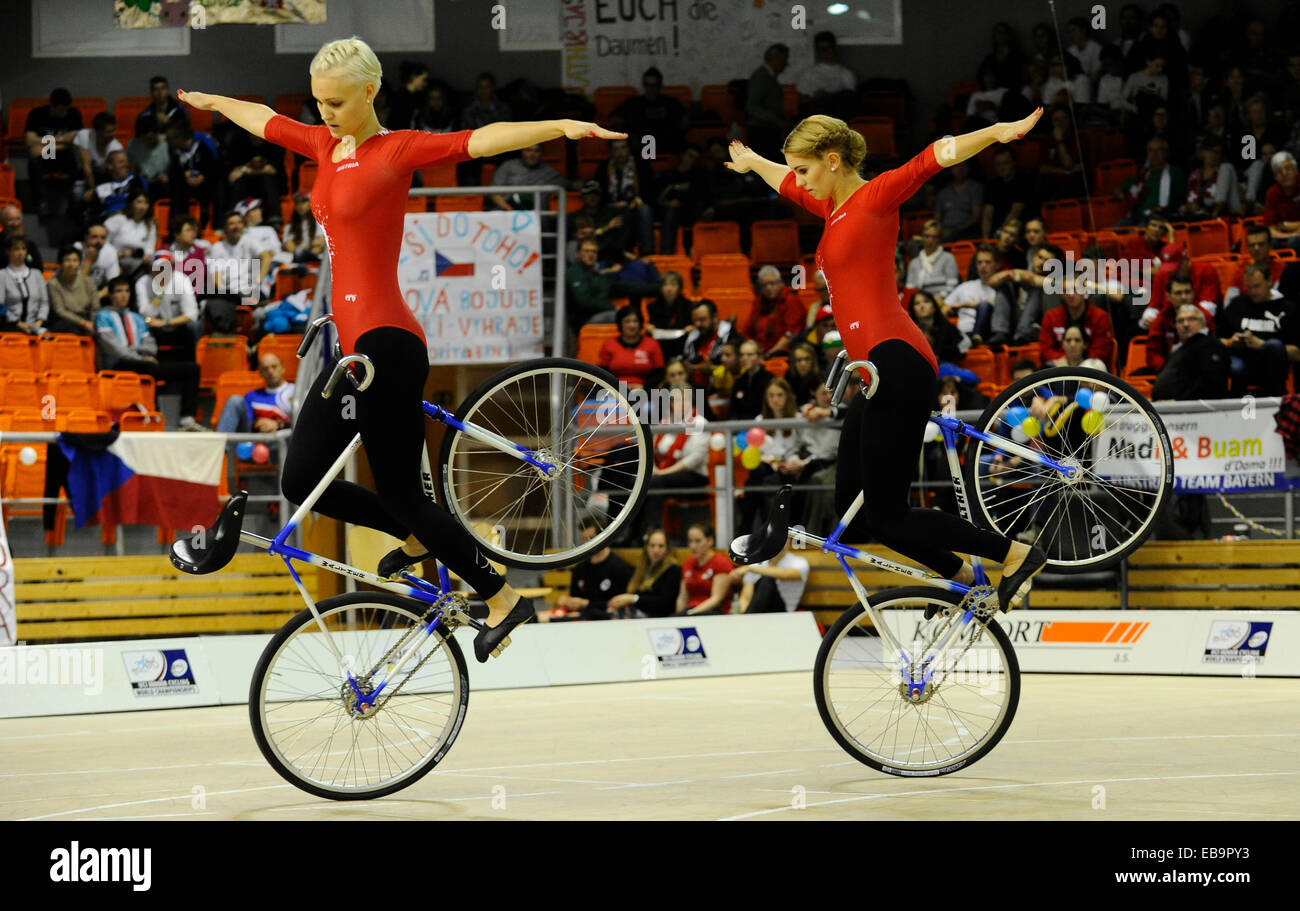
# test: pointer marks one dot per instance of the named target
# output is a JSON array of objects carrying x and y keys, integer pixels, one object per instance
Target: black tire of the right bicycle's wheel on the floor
[{"x": 827, "y": 705}]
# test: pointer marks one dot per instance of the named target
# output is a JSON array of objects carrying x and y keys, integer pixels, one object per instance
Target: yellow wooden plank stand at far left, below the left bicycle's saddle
[{"x": 119, "y": 597}]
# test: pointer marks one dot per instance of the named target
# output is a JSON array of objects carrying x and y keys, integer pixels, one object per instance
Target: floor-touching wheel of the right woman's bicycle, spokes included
[{"x": 969, "y": 702}]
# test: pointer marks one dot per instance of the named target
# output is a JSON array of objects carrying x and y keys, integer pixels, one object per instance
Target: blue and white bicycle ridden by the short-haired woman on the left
[{"x": 363, "y": 695}]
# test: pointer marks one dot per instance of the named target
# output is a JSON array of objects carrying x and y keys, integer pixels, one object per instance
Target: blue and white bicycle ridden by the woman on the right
[{"x": 917, "y": 682}]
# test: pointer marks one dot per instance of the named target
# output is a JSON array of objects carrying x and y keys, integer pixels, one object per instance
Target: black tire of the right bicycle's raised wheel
[{"x": 1099, "y": 557}]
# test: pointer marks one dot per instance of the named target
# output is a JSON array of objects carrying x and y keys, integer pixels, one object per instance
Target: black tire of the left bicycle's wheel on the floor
[{"x": 271, "y": 666}]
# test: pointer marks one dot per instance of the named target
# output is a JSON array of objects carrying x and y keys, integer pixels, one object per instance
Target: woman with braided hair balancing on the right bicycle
[{"x": 882, "y": 437}]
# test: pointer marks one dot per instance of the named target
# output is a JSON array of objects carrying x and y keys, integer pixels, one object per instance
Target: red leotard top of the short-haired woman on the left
[{"x": 361, "y": 202}]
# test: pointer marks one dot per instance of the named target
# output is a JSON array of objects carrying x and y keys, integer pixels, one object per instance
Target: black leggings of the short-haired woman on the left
[{"x": 391, "y": 418}]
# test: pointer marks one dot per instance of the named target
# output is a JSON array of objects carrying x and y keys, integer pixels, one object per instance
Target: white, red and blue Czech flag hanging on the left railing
[{"x": 146, "y": 479}]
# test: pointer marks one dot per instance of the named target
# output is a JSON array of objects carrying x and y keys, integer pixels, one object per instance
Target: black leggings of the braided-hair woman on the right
[{"x": 879, "y": 452}]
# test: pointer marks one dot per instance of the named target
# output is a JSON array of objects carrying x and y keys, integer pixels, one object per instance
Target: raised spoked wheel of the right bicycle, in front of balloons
[{"x": 1087, "y": 420}]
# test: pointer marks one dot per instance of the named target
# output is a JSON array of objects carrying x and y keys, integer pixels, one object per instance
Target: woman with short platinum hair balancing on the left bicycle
[{"x": 359, "y": 198}]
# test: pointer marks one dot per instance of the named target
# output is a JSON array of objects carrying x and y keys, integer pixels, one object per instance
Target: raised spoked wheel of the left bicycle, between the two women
[{"x": 567, "y": 414}]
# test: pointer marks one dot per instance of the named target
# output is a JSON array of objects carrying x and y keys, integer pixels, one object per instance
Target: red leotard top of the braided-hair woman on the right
[{"x": 857, "y": 257}]
